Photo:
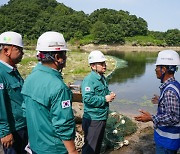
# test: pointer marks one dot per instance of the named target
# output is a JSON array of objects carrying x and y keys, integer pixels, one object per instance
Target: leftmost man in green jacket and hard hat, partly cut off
[{"x": 13, "y": 131}]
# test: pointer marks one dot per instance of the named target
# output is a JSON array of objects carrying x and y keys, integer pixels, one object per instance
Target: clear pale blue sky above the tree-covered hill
[{"x": 160, "y": 15}]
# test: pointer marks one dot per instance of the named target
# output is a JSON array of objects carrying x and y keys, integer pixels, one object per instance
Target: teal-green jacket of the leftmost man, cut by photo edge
[{"x": 11, "y": 113}]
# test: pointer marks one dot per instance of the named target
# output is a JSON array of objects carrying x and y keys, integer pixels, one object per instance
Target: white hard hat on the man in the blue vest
[{"x": 168, "y": 57}]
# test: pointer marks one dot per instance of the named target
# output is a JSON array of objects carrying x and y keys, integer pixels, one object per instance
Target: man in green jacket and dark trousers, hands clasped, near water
[{"x": 96, "y": 98}]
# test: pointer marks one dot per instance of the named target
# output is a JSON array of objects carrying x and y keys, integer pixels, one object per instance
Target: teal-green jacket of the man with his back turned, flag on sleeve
[{"x": 48, "y": 110}]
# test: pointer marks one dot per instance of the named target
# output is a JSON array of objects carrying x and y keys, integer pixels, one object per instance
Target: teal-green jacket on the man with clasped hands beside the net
[{"x": 94, "y": 89}]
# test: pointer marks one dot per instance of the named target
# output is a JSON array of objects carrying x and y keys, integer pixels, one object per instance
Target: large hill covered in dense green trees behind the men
[{"x": 33, "y": 17}]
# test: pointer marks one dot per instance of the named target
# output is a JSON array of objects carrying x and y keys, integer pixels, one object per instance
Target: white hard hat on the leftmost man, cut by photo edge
[{"x": 11, "y": 38}]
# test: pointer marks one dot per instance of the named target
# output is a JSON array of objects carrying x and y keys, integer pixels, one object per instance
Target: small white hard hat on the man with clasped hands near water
[{"x": 96, "y": 56}]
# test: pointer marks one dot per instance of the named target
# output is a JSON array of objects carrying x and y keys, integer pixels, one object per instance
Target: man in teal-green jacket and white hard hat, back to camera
[{"x": 48, "y": 101}]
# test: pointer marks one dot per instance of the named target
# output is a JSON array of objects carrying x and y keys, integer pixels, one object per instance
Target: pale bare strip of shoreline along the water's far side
[{"x": 123, "y": 48}]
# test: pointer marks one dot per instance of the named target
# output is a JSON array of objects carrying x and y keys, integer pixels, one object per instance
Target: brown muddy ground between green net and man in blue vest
[{"x": 141, "y": 142}]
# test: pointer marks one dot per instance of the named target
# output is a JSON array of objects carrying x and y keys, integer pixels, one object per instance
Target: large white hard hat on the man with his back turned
[{"x": 51, "y": 41}]
